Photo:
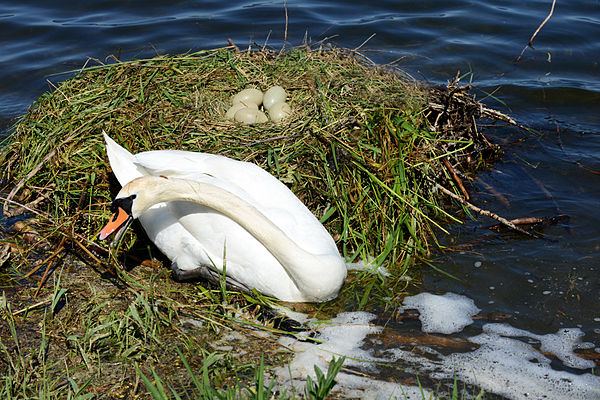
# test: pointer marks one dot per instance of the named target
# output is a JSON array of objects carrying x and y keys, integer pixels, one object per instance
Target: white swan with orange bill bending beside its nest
[{"x": 204, "y": 211}]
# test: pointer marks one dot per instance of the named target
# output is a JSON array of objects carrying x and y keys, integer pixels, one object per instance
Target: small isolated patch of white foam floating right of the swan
[{"x": 447, "y": 314}]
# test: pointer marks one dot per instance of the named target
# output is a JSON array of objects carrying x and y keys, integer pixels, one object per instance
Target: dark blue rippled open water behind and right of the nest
[{"x": 554, "y": 88}]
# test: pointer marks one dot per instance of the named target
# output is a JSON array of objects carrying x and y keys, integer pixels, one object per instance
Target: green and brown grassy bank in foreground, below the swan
[{"x": 134, "y": 345}]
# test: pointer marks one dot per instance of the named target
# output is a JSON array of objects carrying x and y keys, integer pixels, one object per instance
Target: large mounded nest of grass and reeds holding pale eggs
[{"x": 364, "y": 148}]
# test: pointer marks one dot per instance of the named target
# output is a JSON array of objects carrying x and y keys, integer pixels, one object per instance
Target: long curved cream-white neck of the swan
[{"x": 318, "y": 277}]
